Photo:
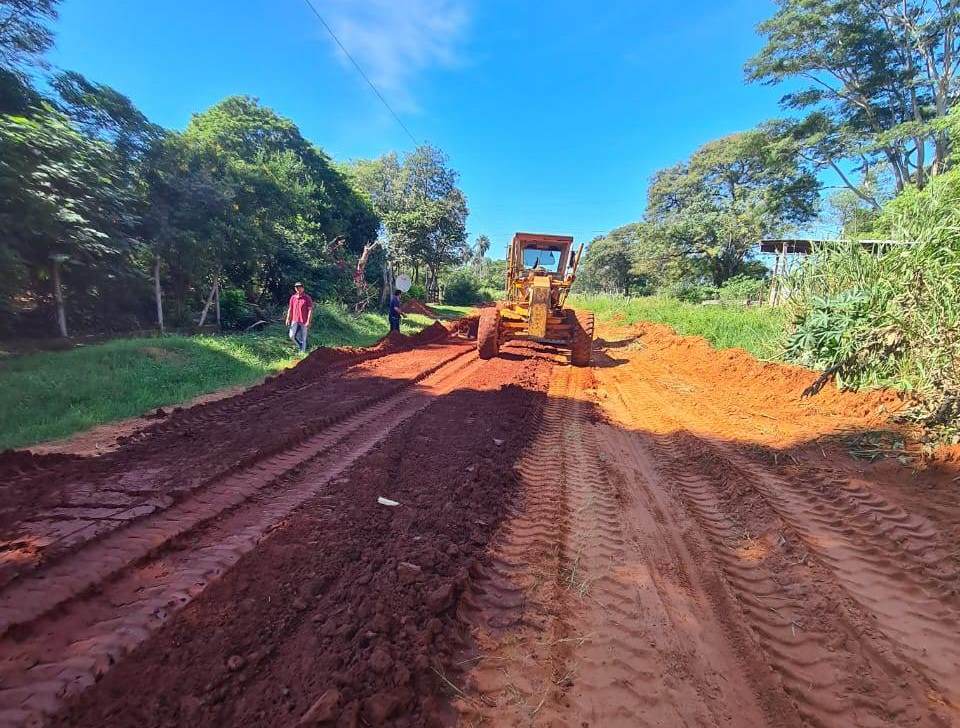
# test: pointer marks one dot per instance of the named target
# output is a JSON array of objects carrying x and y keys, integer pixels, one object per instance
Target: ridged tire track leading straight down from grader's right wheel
[{"x": 571, "y": 627}]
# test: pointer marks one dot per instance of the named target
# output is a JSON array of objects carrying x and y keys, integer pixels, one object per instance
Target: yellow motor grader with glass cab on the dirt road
[{"x": 540, "y": 271}]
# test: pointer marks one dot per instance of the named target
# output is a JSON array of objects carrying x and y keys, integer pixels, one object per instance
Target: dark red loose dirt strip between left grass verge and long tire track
[{"x": 50, "y": 506}]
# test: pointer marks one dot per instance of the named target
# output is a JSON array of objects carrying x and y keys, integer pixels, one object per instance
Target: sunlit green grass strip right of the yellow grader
[{"x": 759, "y": 330}]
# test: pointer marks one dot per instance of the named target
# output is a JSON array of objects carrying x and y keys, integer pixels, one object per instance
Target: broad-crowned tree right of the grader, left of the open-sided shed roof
[{"x": 706, "y": 214}]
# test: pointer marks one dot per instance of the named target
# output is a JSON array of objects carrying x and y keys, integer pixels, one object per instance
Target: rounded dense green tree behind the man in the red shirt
[{"x": 292, "y": 215}]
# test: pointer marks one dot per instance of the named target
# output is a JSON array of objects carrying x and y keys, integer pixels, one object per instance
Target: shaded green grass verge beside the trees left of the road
[{"x": 52, "y": 395}]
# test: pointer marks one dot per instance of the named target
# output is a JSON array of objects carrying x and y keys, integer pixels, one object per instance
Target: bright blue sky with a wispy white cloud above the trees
[{"x": 555, "y": 114}]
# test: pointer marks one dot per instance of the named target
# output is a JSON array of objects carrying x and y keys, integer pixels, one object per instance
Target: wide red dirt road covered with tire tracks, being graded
[{"x": 671, "y": 537}]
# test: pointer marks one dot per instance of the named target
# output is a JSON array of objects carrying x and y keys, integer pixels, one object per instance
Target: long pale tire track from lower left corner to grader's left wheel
[{"x": 49, "y": 658}]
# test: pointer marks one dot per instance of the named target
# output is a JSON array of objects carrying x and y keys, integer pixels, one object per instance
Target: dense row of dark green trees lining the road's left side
[{"x": 148, "y": 220}]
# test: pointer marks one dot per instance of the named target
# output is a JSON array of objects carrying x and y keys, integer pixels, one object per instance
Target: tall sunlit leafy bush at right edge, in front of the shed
[{"x": 885, "y": 316}]
